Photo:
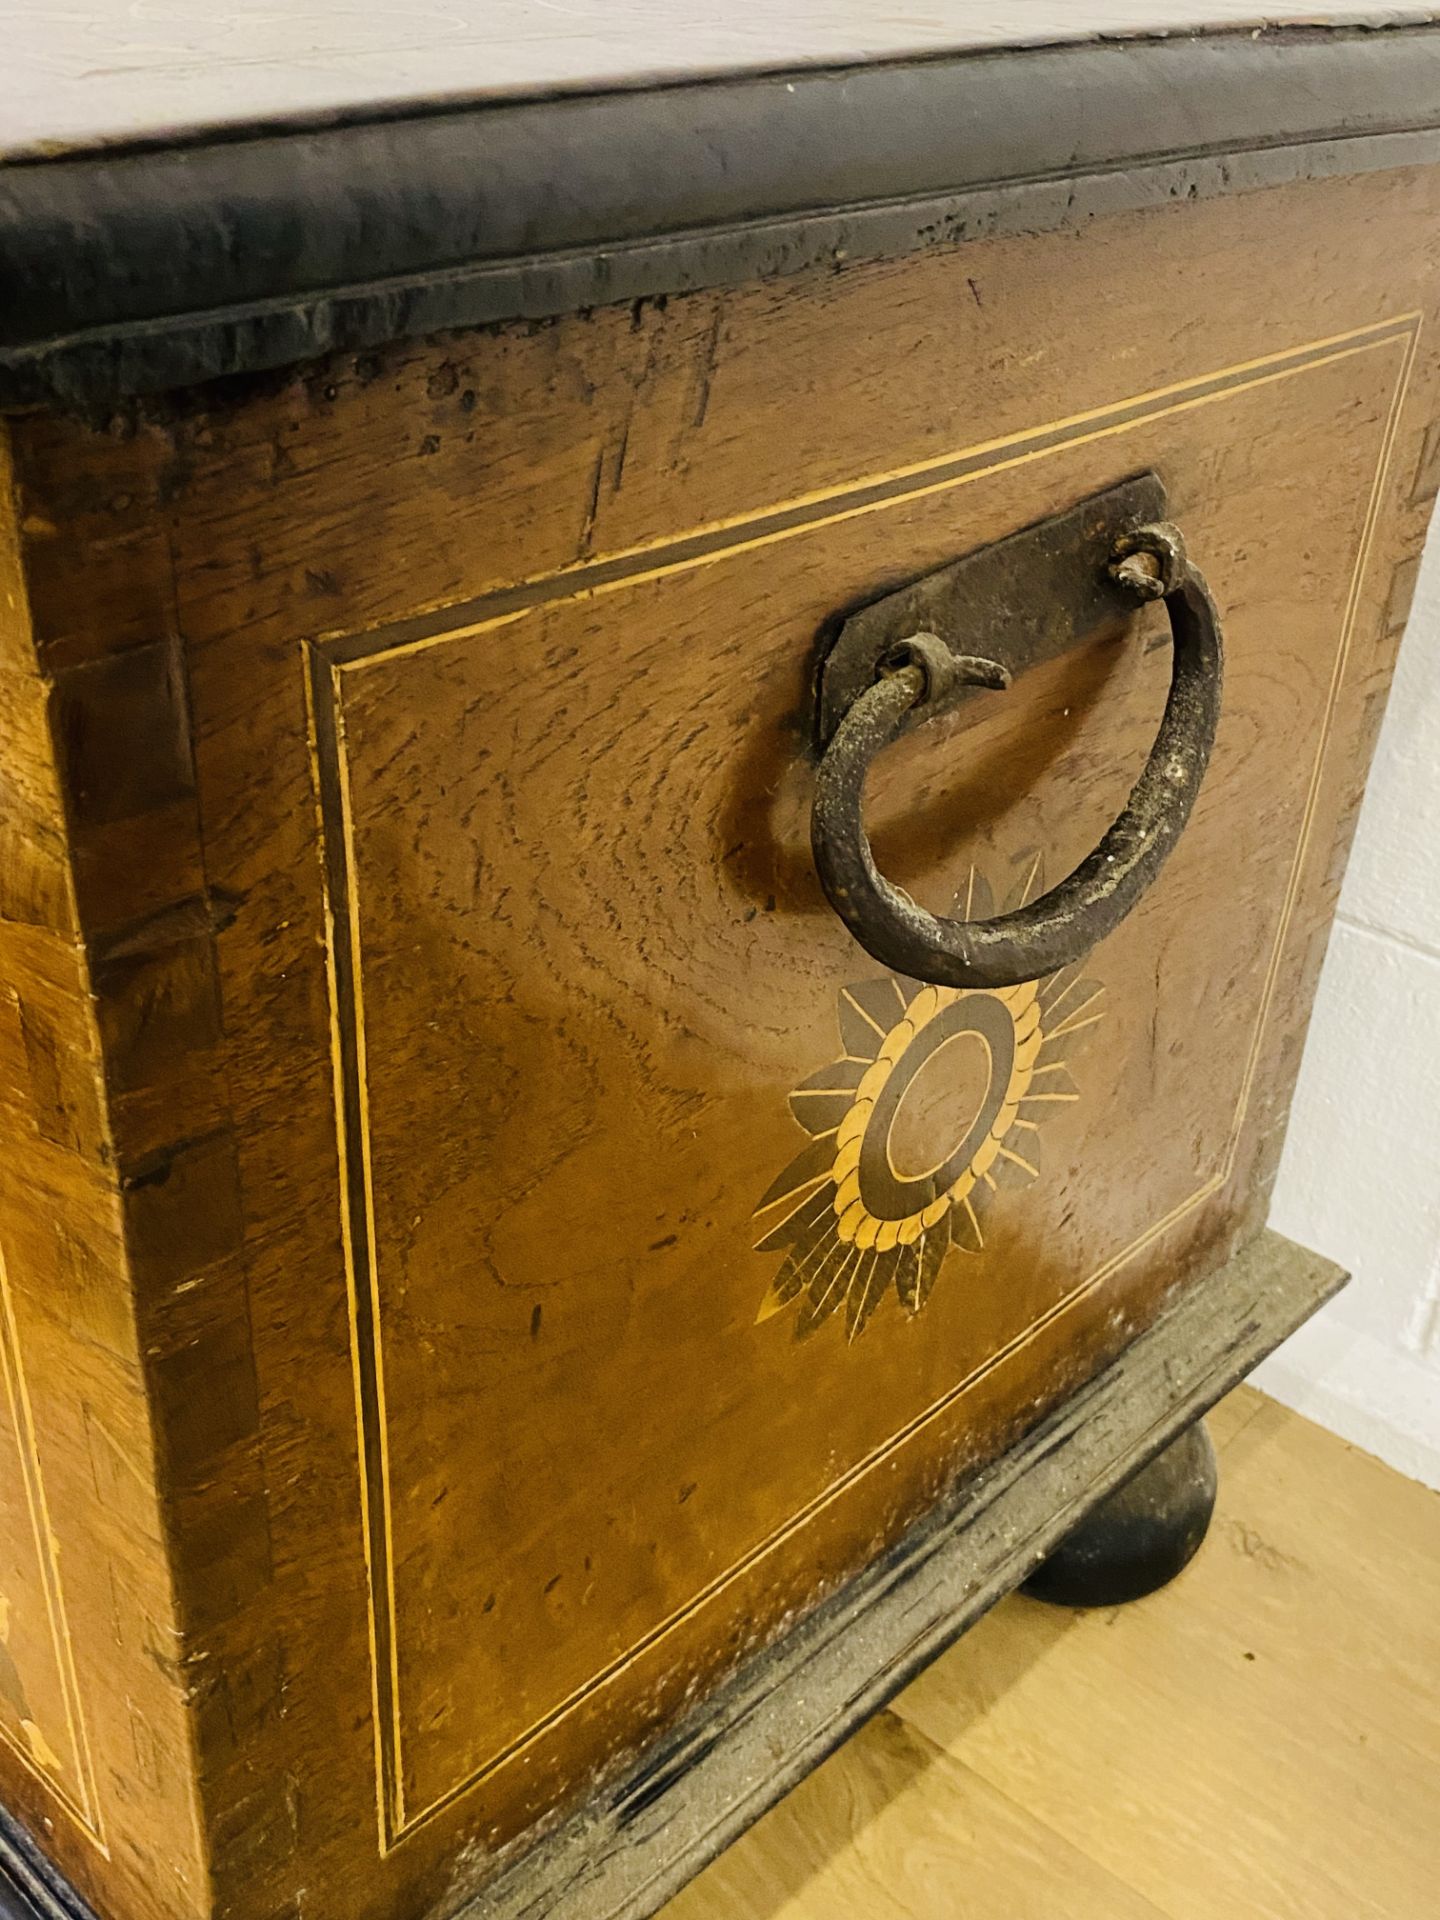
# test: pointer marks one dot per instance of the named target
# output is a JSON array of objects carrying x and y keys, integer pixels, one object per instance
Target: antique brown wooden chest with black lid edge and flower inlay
[{"x": 516, "y": 1326}]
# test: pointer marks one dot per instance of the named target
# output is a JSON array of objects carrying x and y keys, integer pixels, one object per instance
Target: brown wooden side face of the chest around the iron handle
[{"x": 439, "y": 1188}]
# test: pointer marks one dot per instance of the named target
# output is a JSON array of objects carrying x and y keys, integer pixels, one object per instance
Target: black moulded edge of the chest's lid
[{"x": 133, "y": 274}]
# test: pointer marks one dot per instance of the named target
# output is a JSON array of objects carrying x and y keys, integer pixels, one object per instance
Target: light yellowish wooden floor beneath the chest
[{"x": 1259, "y": 1742}]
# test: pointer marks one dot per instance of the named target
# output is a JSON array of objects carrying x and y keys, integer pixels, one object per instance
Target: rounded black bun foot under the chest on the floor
[{"x": 1140, "y": 1537}]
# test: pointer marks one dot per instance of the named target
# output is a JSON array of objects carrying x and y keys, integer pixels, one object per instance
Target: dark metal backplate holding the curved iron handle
[{"x": 1022, "y": 600}]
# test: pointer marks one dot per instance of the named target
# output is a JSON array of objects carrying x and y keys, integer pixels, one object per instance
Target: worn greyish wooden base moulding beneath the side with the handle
[{"x": 658, "y": 1825}]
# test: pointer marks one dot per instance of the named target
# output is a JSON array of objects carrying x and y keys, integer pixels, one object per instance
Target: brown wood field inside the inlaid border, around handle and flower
[{"x": 596, "y": 1015}]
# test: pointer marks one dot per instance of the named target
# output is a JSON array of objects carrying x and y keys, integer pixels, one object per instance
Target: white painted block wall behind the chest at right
[{"x": 1360, "y": 1178}]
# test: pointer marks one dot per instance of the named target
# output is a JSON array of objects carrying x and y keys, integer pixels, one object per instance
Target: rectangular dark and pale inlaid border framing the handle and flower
[{"x": 333, "y": 658}]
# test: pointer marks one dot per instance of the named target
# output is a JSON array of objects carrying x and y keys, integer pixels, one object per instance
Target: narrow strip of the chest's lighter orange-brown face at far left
[{"x": 95, "y": 1737}]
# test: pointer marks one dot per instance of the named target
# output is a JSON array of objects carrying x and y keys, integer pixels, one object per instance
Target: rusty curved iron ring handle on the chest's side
[{"x": 1065, "y": 924}]
